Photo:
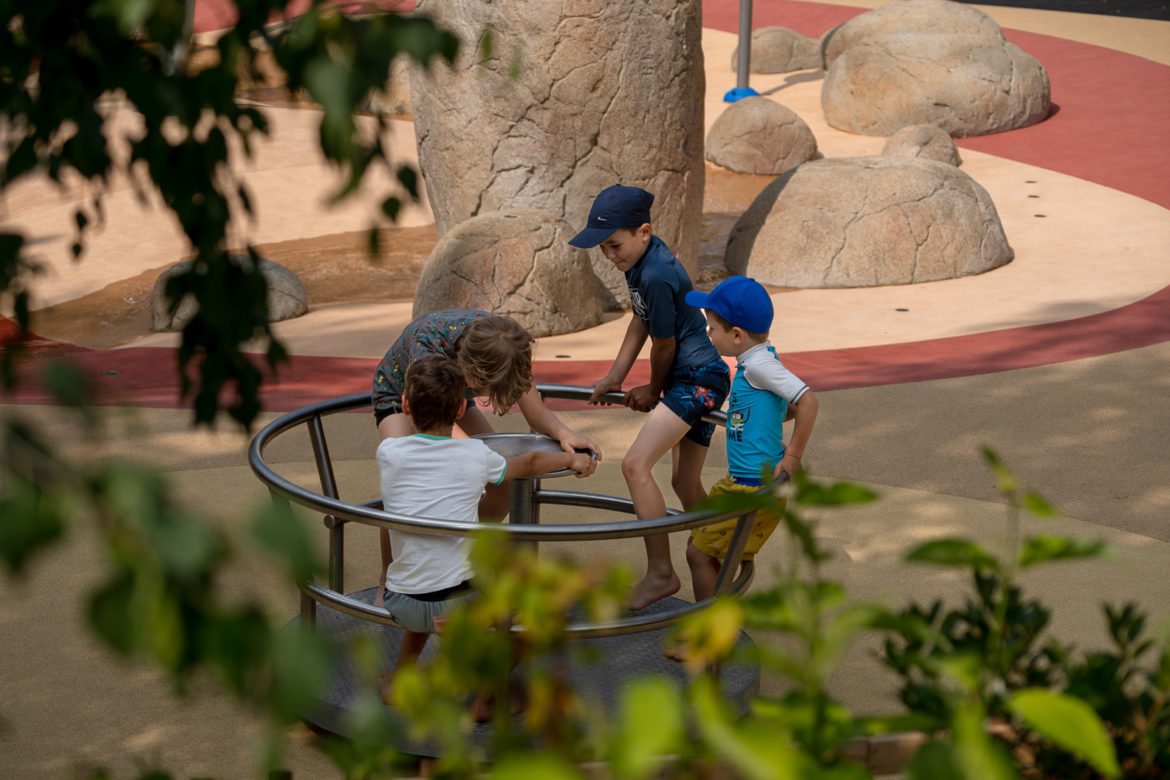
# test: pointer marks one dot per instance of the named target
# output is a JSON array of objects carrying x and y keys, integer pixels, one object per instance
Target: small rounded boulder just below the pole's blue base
[{"x": 758, "y": 135}]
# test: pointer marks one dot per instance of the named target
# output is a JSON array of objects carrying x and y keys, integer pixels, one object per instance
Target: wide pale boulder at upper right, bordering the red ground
[{"x": 966, "y": 85}]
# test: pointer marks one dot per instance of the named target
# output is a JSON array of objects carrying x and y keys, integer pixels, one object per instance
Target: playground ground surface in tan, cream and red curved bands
[{"x": 1057, "y": 361}]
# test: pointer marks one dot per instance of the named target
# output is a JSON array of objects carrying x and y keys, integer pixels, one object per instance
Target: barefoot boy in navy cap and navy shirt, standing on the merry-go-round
[{"x": 689, "y": 378}]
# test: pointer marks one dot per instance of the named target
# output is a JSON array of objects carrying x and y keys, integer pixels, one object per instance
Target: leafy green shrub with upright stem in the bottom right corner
[{"x": 992, "y": 659}]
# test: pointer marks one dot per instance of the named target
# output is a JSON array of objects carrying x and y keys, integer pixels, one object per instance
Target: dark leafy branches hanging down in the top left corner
[{"x": 65, "y": 63}]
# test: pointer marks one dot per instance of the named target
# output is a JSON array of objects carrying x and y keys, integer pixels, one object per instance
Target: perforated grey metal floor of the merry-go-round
[{"x": 611, "y": 662}]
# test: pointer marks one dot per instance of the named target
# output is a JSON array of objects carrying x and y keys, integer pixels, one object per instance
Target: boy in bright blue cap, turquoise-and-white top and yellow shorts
[{"x": 740, "y": 314}]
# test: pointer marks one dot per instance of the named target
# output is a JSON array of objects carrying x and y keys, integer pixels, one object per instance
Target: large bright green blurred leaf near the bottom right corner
[{"x": 1068, "y": 722}]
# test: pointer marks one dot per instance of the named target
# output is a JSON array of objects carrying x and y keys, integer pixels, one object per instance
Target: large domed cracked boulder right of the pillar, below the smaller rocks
[{"x": 869, "y": 222}]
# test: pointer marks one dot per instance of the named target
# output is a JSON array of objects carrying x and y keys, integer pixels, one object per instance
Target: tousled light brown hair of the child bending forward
[{"x": 497, "y": 357}]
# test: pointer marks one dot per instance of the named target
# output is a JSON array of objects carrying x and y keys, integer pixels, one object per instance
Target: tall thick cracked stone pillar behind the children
[{"x": 574, "y": 98}]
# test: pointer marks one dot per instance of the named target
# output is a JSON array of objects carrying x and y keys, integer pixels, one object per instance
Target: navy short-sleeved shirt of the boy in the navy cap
[{"x": 658, "y": 286}]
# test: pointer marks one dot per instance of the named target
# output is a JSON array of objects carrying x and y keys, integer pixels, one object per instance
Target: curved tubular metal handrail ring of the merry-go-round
[{"x": 338, "y": 513}]
